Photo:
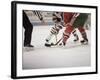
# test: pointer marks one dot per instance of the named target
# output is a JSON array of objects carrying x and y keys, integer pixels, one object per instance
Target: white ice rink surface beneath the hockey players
[{"x": 72, "y": 55}]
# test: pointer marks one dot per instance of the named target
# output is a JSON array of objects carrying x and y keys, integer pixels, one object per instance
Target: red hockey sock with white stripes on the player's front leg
[{"x": 67, "y": 33}]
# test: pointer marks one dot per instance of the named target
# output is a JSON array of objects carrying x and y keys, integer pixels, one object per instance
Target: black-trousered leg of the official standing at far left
[{"x": 28, "y": 31}]
